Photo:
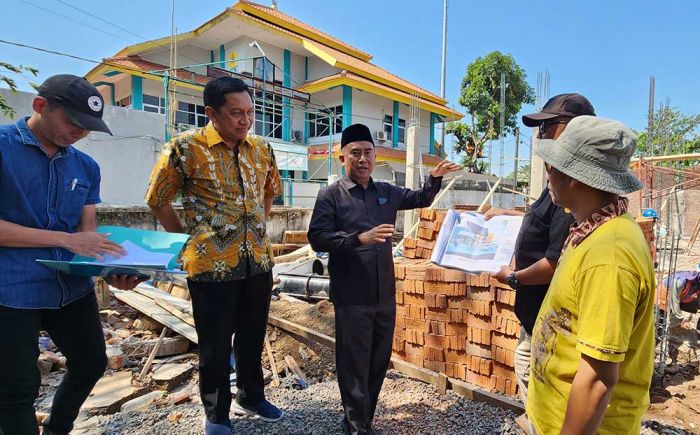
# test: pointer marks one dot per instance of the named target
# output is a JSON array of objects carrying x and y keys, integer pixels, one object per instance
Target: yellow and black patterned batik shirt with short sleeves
[{"x": 223, "y": 195}]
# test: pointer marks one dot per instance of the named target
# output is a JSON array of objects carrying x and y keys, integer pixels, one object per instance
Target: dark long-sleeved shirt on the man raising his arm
[{"x": 361, "y": 274}]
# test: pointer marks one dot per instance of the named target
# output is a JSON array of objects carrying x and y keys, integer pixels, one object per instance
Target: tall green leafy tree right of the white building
[{"x": 481, "y": 95}]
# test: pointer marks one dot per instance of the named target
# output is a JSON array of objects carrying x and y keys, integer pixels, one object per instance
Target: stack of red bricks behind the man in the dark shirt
[{"x": 451, "y": 322}]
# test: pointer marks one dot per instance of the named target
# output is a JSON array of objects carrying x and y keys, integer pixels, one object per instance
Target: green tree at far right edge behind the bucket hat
[{"x": 674, "y": 133}]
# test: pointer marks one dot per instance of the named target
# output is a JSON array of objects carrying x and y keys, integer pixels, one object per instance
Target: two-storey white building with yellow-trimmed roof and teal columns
[{"x": 308, "y": 86}]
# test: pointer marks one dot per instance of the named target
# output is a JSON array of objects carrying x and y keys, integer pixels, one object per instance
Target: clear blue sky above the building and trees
[{"x": 603, "y": 49}]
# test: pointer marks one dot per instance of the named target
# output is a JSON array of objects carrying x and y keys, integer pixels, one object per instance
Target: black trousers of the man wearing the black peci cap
[{"x": 363, "y": 336}]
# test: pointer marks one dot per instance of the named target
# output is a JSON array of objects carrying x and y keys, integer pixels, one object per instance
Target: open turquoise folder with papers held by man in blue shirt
[{"x": 151, "y": 254}]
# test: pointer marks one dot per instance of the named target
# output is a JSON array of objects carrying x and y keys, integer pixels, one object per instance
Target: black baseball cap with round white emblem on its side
[{"x": 81, "y": 100}]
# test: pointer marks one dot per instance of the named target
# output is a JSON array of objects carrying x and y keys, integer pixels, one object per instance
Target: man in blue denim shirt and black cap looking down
[{"x": 48, "y": 192}]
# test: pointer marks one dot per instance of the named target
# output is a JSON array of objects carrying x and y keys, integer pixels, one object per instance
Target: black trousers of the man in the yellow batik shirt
[{"x": 220, "y": 310}]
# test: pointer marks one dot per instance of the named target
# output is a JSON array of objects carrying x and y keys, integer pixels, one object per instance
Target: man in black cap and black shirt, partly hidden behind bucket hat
[{"x": 542, "y": 234}]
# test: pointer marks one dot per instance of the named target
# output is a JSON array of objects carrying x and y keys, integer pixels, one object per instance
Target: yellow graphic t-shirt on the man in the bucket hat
[{"x": 600, "y": 303}]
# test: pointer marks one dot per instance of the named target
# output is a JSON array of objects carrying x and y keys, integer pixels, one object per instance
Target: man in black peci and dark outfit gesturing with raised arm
[{"x": 353, "y": 220}]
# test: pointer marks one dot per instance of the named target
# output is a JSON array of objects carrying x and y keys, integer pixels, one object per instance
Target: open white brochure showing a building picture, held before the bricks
[{"x": 471, "y": 243}]
